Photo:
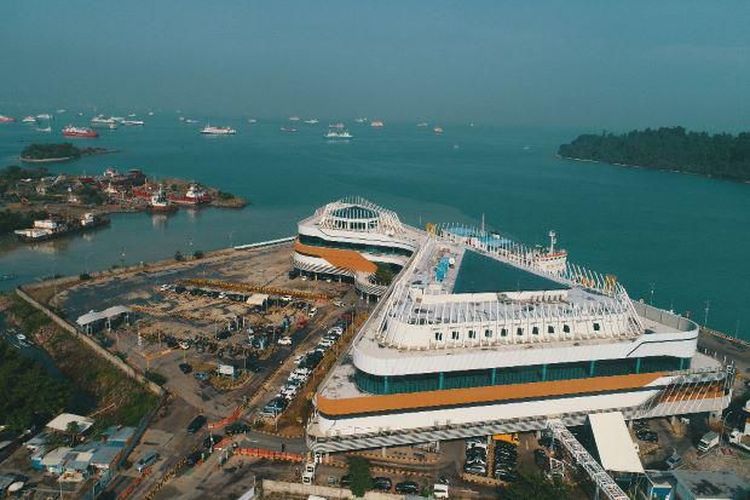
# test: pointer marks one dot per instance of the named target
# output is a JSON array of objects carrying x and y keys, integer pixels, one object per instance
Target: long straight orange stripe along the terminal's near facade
[{"x": 487, "y": 394}]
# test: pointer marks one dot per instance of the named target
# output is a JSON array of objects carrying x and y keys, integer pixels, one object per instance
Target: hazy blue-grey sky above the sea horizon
[{"x": 570, "y": 62}]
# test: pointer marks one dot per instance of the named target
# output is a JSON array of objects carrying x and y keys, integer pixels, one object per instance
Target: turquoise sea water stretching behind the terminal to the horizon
[{"x": 686, "y": 237}]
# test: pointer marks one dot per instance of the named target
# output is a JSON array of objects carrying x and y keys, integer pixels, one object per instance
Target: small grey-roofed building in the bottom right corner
[{"x": 713, "y": 485}]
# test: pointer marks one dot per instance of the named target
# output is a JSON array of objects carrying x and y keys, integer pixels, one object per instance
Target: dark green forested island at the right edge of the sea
[{"x": 723, "y": 156}]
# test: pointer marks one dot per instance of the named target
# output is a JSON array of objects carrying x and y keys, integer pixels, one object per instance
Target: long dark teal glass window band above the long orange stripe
[{"x": 516, "y": 375}]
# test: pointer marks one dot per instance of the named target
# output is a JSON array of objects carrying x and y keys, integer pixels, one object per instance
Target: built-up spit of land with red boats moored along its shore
[{"x": 37, "y": 205}]
